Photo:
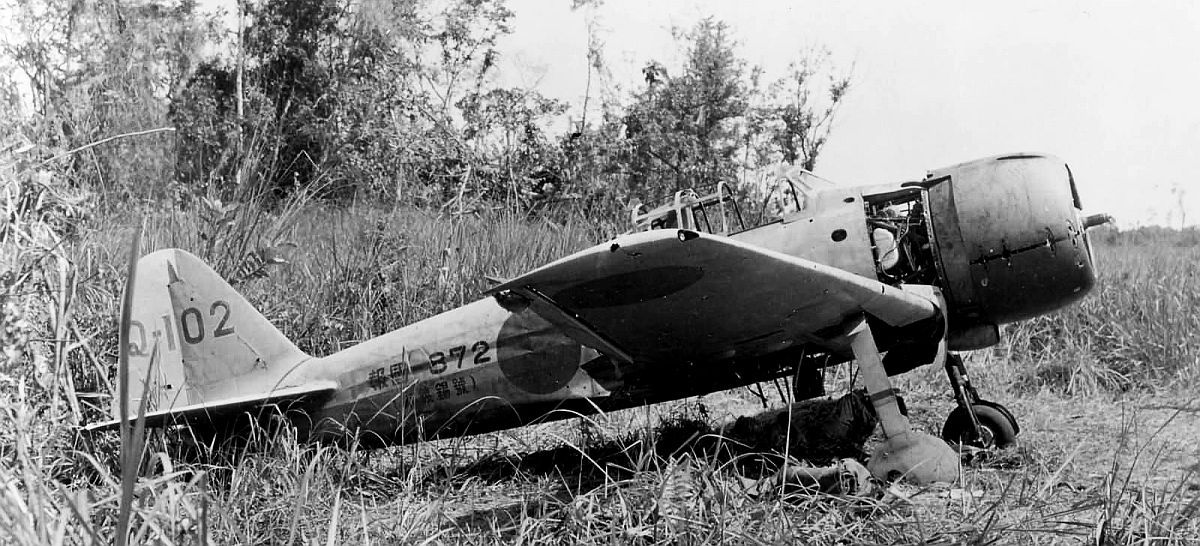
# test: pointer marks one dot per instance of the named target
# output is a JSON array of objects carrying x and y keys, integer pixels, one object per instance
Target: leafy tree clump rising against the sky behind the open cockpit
[{"x": 707, "y": 122}]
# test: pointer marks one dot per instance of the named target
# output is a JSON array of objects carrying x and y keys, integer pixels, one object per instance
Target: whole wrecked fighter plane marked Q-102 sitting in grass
[{"x": 693, "y": 302}]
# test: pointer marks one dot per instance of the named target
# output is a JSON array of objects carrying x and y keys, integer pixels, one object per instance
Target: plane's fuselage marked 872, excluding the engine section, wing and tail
[{"x": 482, "y": 368}]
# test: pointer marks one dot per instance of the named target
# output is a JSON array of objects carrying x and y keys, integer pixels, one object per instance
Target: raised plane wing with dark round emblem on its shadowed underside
[{"x": 679, "y": 296}]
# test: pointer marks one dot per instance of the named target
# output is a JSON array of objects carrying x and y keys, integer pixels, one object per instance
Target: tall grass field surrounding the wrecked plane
[{"x": 1105, "y": 391}]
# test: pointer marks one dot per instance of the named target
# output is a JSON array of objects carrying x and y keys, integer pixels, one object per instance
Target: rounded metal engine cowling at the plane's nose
[{"x": 1011, "y": 242}]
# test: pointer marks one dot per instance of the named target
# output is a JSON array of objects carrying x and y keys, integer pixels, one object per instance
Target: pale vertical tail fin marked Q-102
[{"x": 213, "y": 345}]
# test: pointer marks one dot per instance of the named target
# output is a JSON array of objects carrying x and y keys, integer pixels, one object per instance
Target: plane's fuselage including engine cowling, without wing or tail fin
[{"x": 483, "y": 368}]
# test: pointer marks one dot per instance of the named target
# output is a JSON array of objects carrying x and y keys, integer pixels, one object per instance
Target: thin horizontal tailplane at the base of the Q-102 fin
[{"x": 229, "y": 407}]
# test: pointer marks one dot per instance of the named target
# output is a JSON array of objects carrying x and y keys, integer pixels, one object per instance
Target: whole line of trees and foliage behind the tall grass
[{"x": 399, "y": 101}]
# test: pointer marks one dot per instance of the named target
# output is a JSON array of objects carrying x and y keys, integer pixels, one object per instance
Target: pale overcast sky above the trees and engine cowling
[{"x": 1112, "y": 88}]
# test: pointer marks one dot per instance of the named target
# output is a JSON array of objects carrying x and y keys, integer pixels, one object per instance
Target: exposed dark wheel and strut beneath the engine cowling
[{"x": 976, "y": 422}]
